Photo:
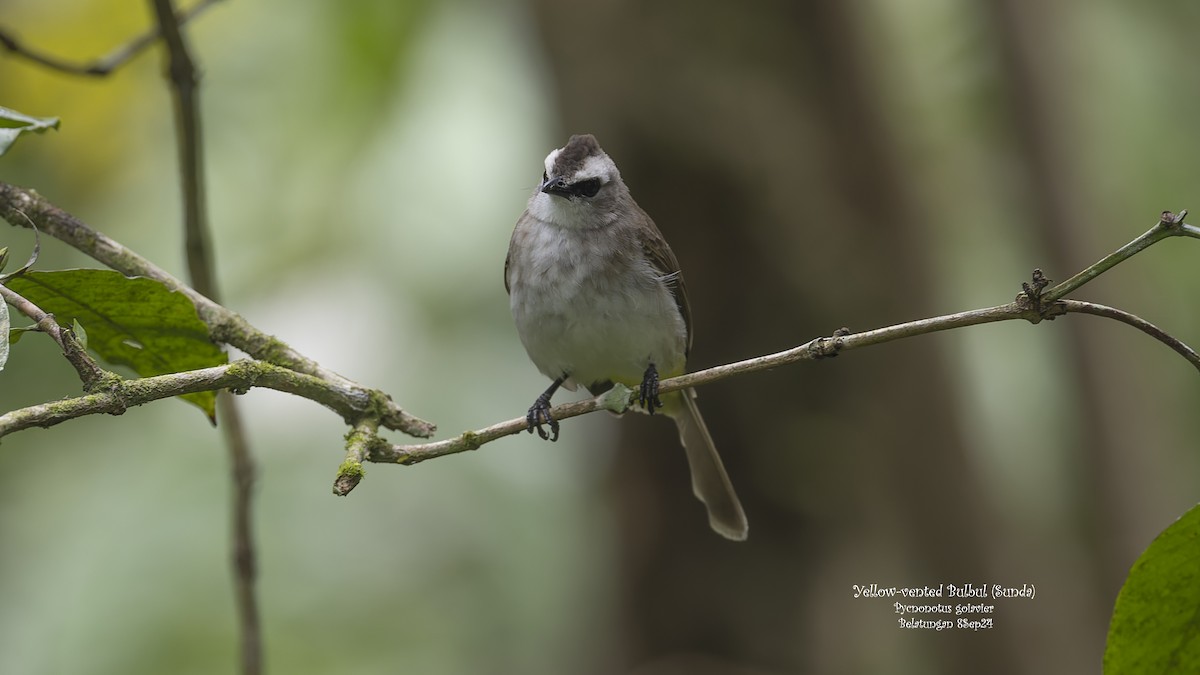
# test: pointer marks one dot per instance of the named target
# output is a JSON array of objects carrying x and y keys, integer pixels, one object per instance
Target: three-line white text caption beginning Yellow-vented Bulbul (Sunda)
[{"x": 945, "y": 607}]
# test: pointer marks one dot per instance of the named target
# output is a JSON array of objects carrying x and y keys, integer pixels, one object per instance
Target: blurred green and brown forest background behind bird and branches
[{"x": 814, "y": 165}]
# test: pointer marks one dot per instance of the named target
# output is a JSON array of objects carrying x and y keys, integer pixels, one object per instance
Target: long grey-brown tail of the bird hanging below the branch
[{"x": 710, "y": 482}]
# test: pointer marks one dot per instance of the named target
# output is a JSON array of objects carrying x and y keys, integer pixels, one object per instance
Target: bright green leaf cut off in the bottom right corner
[{"x": 1156, "y": 624}]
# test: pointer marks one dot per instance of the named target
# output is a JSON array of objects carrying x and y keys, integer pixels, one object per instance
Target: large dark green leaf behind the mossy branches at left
[{"x": 131, "y": 321}]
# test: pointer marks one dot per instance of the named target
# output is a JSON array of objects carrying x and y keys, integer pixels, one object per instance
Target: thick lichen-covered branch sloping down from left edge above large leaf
[{"x": 225, "y": 326}]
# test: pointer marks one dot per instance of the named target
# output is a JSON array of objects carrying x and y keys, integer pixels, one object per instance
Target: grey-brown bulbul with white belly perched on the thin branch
[{"x": 598, "y": 298}]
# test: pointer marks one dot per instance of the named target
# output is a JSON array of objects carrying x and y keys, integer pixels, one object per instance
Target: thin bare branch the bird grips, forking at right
[{"x": 1035, "y": 304}]
